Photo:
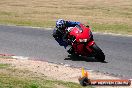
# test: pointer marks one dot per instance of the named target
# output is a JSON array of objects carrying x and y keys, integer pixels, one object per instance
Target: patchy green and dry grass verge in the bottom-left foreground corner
[{"x": 16, "y": 78}]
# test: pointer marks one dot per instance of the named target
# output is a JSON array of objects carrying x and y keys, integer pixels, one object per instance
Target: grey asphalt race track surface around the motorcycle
[{"x": 39, "y": 44}]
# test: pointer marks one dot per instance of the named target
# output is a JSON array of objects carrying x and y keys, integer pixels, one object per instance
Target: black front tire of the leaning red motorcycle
[{"x": 98, "y": 53}]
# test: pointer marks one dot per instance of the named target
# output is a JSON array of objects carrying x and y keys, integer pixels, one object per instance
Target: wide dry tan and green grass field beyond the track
[{"x": 103, "y": 15}]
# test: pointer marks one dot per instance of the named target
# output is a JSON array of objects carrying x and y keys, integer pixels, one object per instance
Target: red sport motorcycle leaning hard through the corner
[{"x": 83, "y": 43}]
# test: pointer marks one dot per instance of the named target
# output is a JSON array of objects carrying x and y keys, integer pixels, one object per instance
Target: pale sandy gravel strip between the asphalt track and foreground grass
[{"x": 54, "y": 71}]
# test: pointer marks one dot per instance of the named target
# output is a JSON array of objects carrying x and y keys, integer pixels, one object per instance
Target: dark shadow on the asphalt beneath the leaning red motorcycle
[{"x": 82, "y": 58}]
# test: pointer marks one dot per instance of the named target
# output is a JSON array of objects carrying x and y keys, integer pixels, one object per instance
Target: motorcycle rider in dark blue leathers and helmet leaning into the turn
[{"x": 60, "y": 33}]
